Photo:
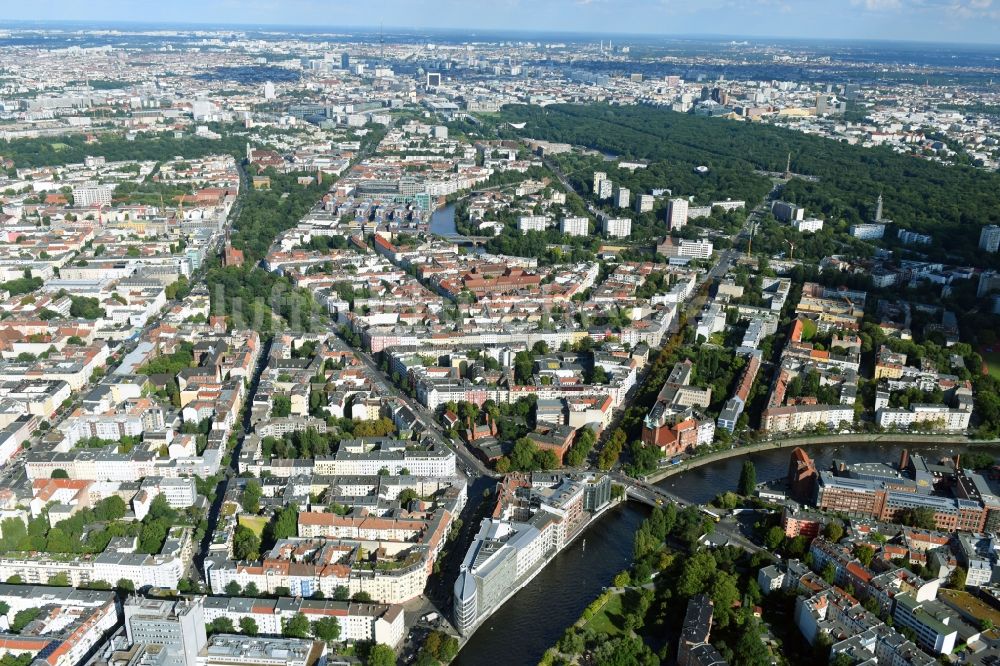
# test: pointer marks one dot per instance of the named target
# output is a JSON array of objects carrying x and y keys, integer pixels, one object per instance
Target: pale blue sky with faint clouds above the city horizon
[{"x": 956, "y": 21}]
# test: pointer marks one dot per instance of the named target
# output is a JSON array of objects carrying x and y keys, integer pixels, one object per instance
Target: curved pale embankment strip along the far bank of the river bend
[{"x": 891, "y": 439}]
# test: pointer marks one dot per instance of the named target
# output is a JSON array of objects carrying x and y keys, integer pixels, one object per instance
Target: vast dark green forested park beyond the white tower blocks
[{"x": 951, "y": 203}]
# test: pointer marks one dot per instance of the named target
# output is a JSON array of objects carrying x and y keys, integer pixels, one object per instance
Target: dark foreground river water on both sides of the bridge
[{"x": 534, "y": 619}]
